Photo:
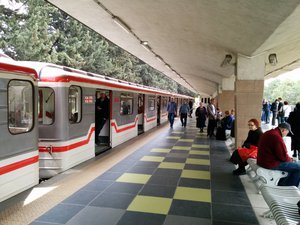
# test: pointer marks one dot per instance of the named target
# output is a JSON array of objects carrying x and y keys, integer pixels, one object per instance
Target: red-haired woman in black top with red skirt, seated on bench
[{"x": 249, "y": 148}]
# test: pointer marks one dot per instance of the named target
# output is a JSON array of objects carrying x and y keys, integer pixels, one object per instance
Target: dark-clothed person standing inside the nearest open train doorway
[{"x": 101, "y": 115}]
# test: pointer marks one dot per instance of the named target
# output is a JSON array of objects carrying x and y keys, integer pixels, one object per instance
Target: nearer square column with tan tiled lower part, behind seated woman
[{"x": 249, "y": 88}]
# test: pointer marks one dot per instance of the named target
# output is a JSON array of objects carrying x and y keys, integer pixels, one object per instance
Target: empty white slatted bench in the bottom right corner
[{"x": 282, "y": 201}]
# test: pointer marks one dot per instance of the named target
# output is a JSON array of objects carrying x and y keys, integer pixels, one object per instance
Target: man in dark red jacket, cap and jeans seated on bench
[{"x": 272, "y": 154}]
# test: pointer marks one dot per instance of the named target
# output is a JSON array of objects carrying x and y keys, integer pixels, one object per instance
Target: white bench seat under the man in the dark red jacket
[{"x": 261, "y": 176}]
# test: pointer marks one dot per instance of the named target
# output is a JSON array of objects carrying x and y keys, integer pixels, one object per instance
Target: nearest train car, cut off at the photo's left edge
[{"x": 19, "y": 157}]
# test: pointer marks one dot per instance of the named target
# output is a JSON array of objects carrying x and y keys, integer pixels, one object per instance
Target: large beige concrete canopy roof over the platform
[{"x": 189, "y": 39}]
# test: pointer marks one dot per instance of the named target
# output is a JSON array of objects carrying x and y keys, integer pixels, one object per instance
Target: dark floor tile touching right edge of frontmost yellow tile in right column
[{"x": 230, "y": 197}]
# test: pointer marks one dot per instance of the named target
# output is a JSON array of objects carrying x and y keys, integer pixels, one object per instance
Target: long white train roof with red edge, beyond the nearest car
[{"x": 48, "y": 72}]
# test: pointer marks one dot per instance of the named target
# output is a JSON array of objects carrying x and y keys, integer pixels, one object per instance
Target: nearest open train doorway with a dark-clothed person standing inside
[{"x": 102, "y": 120}]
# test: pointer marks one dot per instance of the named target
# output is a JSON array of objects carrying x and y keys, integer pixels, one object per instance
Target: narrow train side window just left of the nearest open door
[{"x": 74, "y": 104}]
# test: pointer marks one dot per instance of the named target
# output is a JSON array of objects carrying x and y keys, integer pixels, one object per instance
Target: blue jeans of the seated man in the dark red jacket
[{"x": 293, "y": 177}]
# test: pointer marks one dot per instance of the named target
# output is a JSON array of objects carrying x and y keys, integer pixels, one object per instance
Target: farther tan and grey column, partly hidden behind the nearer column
[{"x": 226, "y": 94}]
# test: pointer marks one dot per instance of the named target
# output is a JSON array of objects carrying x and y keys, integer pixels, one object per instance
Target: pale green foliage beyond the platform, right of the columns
[{"x": 285, "y": 89}]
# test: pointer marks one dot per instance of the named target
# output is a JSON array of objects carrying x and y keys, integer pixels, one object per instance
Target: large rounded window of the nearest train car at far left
[{"x": 20, "y": 106}]
